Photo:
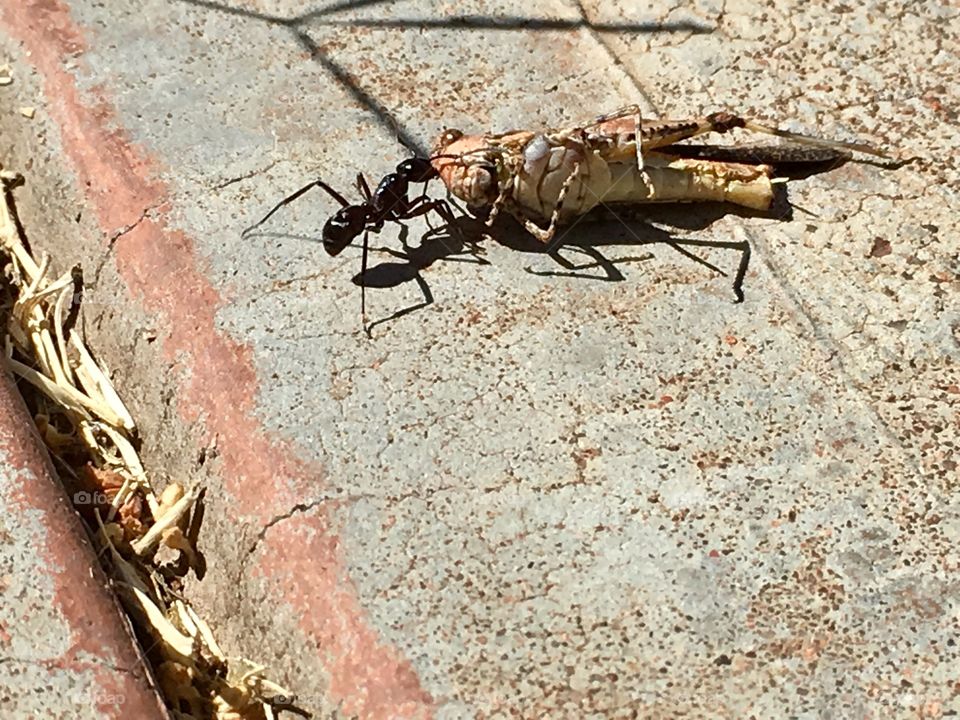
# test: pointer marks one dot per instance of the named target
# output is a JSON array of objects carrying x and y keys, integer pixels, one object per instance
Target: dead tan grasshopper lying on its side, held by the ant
[{"x": 560, "y": 174}]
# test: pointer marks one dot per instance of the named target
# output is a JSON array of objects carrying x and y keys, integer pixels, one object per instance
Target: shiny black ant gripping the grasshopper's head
[{"x": 389, "y": 201}]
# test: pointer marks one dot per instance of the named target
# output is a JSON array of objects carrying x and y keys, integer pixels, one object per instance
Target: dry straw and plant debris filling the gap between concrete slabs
[{"x": 93, "y": 438}]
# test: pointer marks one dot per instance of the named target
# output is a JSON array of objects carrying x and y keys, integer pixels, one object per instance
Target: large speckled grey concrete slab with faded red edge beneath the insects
[{"x": 542, "y": 495}]
